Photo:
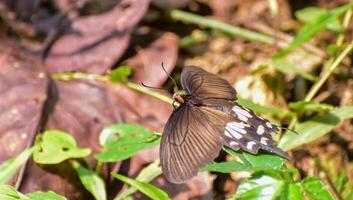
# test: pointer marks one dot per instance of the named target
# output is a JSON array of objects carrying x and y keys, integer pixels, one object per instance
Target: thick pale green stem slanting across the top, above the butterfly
[{"x": 221, "y": 26}]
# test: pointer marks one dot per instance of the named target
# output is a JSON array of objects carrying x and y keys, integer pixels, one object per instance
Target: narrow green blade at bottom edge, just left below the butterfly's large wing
[{"x": 146, "y": 188}]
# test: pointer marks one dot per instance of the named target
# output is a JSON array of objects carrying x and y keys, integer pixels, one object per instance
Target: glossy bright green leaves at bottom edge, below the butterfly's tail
[{"x": 281, "y": 185}]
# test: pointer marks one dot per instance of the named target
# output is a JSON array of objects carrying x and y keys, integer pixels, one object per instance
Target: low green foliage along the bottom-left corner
[{"x": 9, "y": 193}]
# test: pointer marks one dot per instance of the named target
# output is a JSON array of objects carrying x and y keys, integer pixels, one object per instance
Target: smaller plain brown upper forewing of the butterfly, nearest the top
[{"x": 204, "y": 85}]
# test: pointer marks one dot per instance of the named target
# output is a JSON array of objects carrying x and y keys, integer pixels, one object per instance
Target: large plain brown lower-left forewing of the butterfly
[{"x": 188, "y": 143}]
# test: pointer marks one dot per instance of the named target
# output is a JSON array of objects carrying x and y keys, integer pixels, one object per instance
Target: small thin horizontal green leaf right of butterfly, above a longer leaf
[{"x": 301, "y": 106}]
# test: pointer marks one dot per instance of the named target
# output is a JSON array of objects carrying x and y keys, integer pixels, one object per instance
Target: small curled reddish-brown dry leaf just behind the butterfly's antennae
[{"x": 147, "y": 62}]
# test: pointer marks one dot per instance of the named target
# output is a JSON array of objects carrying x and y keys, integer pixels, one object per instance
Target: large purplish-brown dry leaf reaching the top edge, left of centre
[{"x": 94, "y": 43}]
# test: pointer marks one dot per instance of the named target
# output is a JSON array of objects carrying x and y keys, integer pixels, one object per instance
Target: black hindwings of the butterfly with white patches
[{"x": 242, "y": 128}]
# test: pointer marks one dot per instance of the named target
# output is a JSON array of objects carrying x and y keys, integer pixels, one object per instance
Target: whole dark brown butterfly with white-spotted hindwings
[{"x": 208, "y": 118}]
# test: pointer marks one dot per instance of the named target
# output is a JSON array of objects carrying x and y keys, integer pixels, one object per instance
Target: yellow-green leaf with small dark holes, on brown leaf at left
[{"x": 57, "y": 146}]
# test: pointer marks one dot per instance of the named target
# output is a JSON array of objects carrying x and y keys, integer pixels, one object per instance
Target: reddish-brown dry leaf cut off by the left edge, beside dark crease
[{"x": 23, "y": 91}]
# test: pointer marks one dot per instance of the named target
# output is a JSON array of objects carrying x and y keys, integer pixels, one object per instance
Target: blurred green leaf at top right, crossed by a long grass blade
[{"x": 310, "y": 14}]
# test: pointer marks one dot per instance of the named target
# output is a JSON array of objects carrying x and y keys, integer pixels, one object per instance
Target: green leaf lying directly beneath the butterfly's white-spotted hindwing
[{"x": 248, "y": 162}]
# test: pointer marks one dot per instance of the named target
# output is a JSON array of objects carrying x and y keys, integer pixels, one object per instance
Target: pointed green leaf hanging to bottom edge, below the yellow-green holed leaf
[{"x": 91, "y": 181}]
